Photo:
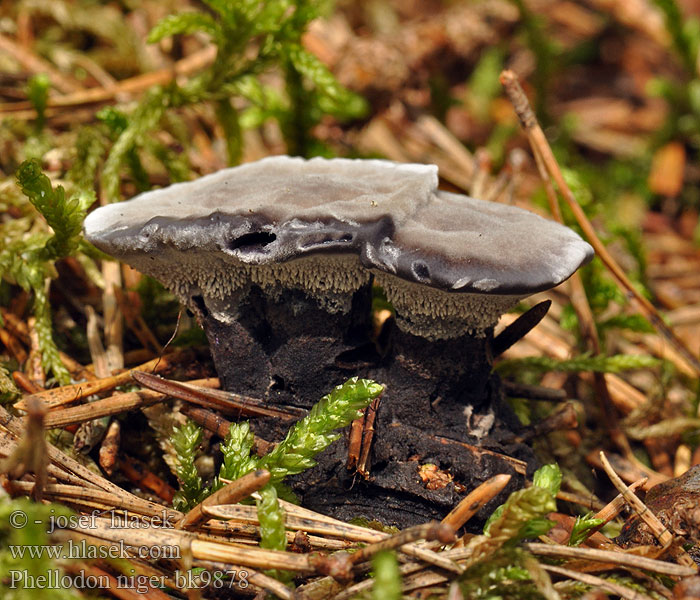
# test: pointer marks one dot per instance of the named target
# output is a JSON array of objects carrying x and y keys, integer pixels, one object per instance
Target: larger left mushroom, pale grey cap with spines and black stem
[{"x": 268, "y": 256}]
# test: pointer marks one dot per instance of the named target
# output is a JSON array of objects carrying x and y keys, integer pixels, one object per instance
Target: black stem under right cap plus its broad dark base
[{"x": 441, "y": 403}]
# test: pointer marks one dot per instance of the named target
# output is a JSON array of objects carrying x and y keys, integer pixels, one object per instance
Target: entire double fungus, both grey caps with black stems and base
[{"x": 277, "y": 259}]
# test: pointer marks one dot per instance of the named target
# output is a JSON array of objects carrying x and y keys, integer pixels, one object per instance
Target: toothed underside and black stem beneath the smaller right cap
[{"x": 440, "y": 358}]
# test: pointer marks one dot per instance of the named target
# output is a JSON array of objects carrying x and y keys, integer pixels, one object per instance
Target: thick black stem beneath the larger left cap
[{"x": 285, "y": 347}]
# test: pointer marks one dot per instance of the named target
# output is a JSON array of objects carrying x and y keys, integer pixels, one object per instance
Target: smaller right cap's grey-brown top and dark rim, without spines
[{"x": 461, "y": 244}]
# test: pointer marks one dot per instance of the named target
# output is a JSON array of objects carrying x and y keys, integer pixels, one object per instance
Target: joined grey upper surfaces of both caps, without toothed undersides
[{"x": 389, "y": 214}]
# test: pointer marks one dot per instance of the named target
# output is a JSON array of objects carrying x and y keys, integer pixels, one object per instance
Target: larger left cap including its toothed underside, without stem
[{"x": 204, "y": 236}]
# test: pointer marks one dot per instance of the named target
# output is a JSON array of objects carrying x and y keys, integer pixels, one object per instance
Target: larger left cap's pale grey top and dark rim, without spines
[{"x": 275, "y": 209}]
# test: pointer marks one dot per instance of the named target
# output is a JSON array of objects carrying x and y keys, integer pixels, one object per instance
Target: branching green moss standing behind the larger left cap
[{"x": 251, "y": 38}]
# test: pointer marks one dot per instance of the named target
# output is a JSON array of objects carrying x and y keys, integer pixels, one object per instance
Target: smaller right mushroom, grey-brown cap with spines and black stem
[{"x": 451, "y": 271}]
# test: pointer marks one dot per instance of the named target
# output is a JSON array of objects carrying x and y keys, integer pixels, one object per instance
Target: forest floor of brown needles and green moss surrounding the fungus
[{"x": 605, "y": 385}]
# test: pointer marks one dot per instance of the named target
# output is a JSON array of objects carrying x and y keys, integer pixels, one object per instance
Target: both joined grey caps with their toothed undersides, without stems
[{"x": 322, "y": 226}]
